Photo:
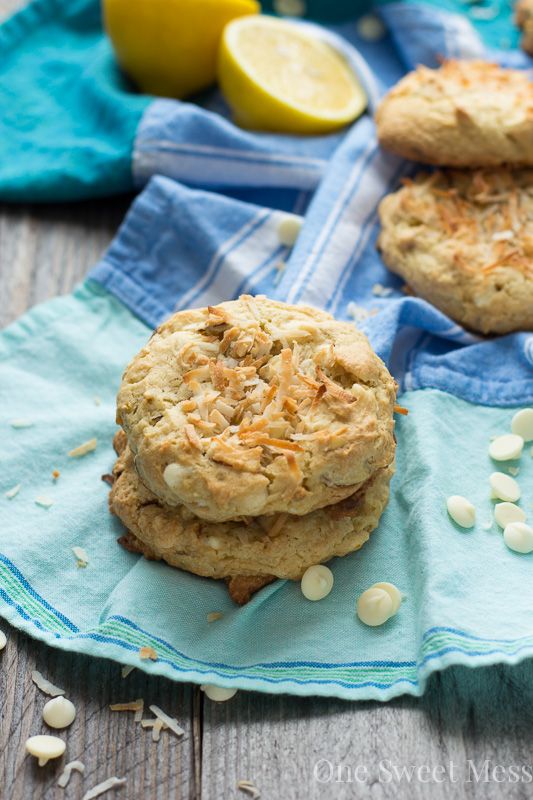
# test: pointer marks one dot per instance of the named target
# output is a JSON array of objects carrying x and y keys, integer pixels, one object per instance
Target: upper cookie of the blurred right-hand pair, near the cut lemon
[{"x": 464, "y": 114}]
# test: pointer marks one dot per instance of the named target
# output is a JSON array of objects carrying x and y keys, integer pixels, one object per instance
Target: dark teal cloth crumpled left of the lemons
[{"x": 68, "y": 117}]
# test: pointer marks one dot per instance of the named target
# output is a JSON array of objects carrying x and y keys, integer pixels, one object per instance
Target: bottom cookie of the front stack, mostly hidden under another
[{"x": 244, "y": 554}]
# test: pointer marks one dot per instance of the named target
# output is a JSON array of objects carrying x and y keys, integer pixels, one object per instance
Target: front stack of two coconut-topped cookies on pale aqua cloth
[{"x": 257, "y": 441}]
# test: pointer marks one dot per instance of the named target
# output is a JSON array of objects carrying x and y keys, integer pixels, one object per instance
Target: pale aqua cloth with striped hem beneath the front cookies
[{"x": 467, "y": 598}]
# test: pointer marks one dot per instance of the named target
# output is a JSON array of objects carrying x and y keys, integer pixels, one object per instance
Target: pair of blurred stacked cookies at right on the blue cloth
[{"x": 463, "y": 238}]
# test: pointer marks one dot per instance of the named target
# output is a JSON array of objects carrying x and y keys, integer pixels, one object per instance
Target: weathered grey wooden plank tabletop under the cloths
[{"x": 282, "y": 744}]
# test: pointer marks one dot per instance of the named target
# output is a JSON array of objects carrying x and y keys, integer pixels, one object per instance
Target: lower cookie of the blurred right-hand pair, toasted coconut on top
[{"x": 463, "y": 240}]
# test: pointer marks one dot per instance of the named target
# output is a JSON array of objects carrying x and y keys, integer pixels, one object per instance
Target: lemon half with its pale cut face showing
[{"x": 276, "y": 76}]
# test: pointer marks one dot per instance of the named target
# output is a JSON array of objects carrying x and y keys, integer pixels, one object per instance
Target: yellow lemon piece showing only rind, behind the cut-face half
[{"x": 169, "y": 47}]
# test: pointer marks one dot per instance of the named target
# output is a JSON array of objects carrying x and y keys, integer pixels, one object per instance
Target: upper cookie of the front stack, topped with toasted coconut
[{"x": 256, "y": 407}]
